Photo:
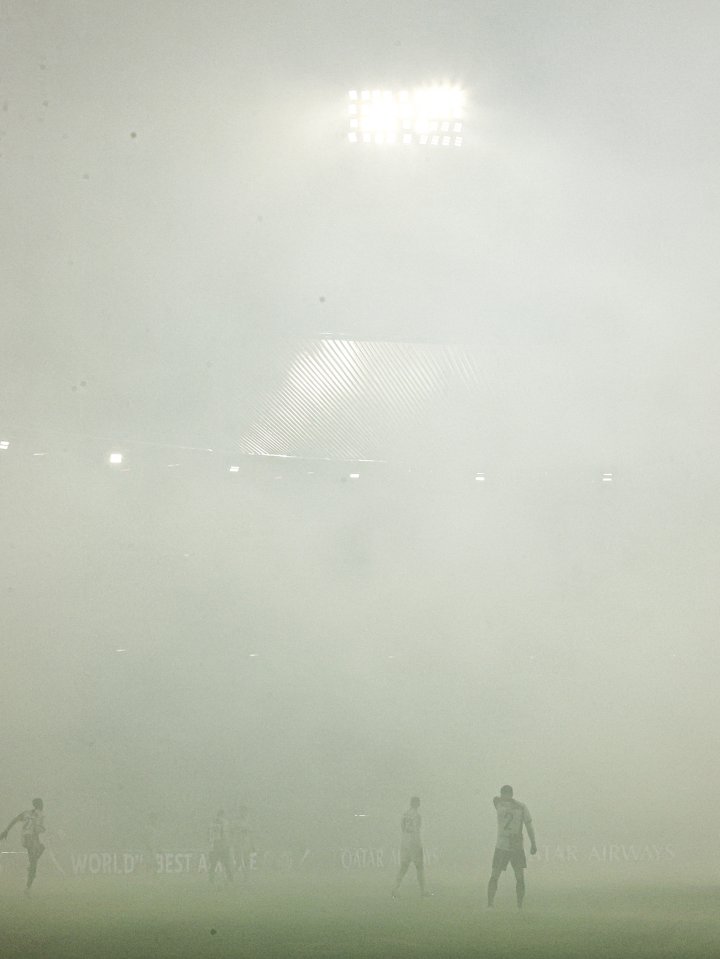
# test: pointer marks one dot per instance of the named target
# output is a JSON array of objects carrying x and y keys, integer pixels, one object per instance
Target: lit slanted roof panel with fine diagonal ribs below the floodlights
[{"x": 348, "y": 399}]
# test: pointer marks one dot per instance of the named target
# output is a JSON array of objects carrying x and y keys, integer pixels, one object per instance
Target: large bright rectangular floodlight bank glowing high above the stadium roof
[{"x": 430, "y": 116}]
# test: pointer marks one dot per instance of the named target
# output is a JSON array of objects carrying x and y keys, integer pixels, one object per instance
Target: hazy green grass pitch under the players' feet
[{"x": 353, "y": 917}]
